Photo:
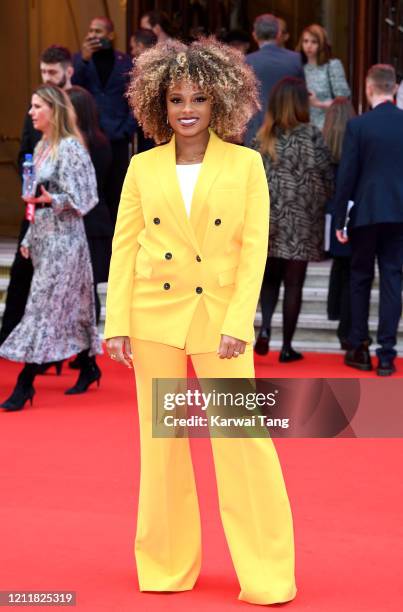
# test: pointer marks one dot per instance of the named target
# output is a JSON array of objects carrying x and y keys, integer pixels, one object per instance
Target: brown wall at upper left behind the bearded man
[{"x": 27, "y": 27}]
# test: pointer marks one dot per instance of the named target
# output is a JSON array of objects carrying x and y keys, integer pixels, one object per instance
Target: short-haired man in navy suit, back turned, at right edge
[{"x": 370, "y": 174}]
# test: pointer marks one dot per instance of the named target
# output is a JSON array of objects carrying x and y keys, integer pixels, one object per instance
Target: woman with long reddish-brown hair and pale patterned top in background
[{"x": 325, "y": 77}]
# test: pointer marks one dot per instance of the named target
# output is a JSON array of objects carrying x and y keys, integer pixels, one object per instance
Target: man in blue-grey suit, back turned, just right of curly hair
[{"x": 271, "y": 63}]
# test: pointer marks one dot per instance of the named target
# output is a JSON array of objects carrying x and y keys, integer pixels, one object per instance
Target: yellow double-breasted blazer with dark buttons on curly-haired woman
[{"x": 165, "y": 265}]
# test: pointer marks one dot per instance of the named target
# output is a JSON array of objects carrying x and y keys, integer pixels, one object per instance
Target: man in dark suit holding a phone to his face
[{"x": 104, "y": 72}]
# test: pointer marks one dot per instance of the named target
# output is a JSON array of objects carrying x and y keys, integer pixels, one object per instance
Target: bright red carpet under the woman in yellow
[{"x": 69, "y": 475}]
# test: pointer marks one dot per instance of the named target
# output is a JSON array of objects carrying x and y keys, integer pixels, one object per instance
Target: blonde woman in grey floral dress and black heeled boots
[{"x": 59, "y": 319}]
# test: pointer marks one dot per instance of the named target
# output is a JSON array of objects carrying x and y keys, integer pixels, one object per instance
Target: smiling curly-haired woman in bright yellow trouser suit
[{"x": 189, "y": 253}]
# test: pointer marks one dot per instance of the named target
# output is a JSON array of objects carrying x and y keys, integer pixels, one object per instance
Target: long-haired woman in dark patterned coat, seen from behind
[{"x": 299, "y": 171}]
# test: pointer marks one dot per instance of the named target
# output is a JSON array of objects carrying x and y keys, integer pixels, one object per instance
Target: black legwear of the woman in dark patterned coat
[{"x": 292, "y": 273}]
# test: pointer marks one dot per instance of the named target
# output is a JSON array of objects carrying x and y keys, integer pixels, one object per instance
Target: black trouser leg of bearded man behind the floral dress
[{"x": 21, "y": 273}]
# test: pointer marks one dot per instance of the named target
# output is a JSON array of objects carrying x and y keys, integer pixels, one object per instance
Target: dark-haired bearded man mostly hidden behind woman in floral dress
[{"x": 56, "y": 69}]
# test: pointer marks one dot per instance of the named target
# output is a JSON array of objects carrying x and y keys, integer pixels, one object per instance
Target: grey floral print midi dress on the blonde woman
[{"x": 59, "y": 318}]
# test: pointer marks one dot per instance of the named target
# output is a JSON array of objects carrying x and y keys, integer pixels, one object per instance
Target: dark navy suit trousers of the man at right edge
[{"x": 384, "y": 241}]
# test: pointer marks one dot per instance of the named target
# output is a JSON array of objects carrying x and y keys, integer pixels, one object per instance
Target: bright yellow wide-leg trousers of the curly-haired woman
[{"x": 254, "y": 505}]
